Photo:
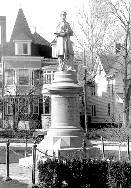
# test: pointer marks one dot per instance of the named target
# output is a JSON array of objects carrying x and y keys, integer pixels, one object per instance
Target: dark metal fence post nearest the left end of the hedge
[{"x": 34, "y": 164}]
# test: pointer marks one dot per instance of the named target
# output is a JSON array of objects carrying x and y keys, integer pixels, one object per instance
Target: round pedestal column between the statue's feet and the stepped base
[{"x": 65, "y": 115}]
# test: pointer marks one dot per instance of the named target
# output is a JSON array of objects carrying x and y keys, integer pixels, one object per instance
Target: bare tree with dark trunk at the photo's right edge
[{"x": 121, "y": 12}]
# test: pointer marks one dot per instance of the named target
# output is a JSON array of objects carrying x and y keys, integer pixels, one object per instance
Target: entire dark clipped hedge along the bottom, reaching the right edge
[{"x": 84, "y": 173}]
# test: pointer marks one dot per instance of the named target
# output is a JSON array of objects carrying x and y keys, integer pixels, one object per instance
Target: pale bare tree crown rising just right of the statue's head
[{"x": 93, "y": 23}]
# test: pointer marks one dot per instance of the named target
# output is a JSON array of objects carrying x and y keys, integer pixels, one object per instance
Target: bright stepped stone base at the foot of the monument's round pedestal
[{"x": 53, "y": 145}]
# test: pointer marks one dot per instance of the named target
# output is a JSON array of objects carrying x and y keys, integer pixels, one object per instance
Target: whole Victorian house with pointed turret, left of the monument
[{"x": 22, "y": 61}]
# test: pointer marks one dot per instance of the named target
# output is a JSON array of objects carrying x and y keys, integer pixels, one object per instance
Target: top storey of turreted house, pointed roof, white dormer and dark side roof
[{"x": 22, "y": 36}]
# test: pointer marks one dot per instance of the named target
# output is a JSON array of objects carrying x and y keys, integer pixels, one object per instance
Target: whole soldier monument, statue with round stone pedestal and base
[{"x": 65, "y": 131}]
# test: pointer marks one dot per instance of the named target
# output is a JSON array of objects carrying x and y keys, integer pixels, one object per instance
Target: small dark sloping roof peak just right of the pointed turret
[{"x": 40, "y": 40}]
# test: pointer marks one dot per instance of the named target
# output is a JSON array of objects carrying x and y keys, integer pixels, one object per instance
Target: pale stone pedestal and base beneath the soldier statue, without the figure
[{"x": 65, "y": 131}]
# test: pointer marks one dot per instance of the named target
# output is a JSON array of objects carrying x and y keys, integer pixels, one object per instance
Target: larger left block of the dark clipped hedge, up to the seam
[{"x": 75, "y": 173}]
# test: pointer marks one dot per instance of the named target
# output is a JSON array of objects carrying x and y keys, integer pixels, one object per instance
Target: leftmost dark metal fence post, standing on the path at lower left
[{"x": 7, "y": 161}]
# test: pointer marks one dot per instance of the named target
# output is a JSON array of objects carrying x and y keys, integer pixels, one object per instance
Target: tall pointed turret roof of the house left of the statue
[{"x": 21, "y": 26}]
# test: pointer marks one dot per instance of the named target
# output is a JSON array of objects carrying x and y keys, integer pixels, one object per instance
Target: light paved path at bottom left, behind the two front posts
[{"x": 22, "y": 174}]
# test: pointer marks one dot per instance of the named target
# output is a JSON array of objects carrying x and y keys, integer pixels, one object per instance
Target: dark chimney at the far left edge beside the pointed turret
[{"x": 3, "y": 29}]
